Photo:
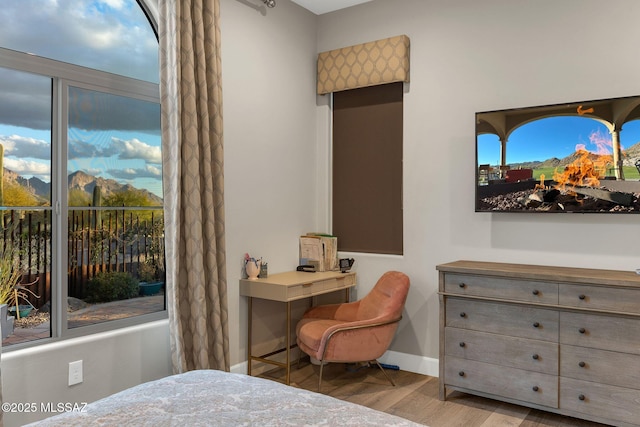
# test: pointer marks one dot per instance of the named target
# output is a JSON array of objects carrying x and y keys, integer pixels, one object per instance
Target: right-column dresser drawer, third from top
[{"x": 601, "y": 366}]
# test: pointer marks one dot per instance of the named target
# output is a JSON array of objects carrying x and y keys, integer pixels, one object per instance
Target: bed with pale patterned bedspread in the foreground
[{"x": 216, "y": 398}]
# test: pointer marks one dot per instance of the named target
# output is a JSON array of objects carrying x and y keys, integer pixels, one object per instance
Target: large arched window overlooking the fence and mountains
[{"x": 81, "y": 193}]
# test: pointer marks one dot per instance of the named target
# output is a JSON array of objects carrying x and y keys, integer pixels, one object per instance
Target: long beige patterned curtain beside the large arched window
[{"x": 193, "y": 179}]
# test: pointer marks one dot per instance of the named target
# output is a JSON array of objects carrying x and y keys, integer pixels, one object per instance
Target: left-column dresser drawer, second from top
[{"x": 504, "y": 319}]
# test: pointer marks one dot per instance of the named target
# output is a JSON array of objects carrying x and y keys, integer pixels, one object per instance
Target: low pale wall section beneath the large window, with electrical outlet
[{"x": 112, "y": 361}]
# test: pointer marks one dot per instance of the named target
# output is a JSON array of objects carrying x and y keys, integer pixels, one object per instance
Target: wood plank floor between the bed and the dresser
[{"x": 415, "y": 397}]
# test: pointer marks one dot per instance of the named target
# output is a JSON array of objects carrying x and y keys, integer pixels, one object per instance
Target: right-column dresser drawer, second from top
[{"x": 600, "y": 331}]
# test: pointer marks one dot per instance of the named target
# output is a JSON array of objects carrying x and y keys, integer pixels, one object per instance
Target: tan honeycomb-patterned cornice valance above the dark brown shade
[{"x": 368, "y": 64}]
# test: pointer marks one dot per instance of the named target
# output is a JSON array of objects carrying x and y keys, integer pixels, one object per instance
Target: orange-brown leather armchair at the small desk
[{"x": 359, "y": 331}]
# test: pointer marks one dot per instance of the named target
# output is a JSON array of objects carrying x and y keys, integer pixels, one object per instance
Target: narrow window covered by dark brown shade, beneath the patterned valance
[{"x": 367, "y": 169}]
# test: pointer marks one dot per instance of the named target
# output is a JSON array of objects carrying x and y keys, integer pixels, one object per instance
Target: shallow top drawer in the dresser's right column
[{"x": 600, "y": 298}]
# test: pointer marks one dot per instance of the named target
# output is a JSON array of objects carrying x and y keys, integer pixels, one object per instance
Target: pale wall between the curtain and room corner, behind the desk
[{"x": 268, "y": 71}]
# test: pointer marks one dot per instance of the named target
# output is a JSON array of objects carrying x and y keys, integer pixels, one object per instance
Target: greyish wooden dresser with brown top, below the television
[{"x": 565, "y": 340}]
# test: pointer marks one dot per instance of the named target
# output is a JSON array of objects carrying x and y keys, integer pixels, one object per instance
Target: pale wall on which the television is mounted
[{"x": 468, "y": 56}]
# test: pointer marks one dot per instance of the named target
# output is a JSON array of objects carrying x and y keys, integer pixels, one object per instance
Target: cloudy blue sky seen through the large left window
[{"x": 116, "y": 138}]
